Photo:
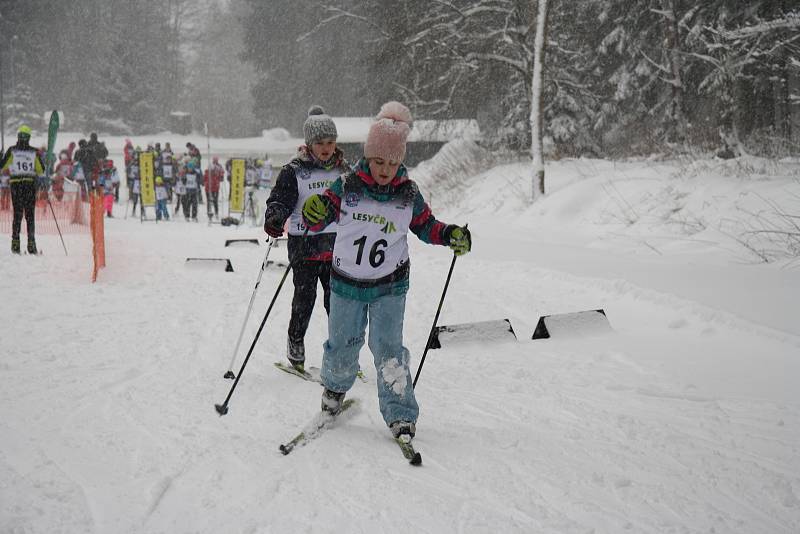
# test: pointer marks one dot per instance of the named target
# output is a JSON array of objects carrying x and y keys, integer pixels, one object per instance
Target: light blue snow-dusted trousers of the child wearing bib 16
[{"x": 347, "y": 324}]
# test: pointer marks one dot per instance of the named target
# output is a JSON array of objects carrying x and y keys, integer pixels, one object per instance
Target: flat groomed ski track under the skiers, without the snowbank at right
[{"x": 111, "y": 425}]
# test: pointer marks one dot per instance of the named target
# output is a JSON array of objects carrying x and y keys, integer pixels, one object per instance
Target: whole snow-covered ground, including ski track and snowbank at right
[{"x": 685, "y": 419}]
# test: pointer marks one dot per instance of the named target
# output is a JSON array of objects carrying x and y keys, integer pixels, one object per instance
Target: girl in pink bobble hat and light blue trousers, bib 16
[{"x": 375, "y": 205}]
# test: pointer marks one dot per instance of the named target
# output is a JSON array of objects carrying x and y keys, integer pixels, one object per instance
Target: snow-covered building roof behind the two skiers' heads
[{"x": 355, "y": 129}]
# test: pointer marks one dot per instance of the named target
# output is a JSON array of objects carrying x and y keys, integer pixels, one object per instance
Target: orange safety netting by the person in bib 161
[{"x": 71, "y": 212}]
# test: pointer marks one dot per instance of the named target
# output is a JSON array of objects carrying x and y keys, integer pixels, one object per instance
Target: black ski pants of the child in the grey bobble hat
[{"x": 305, "y": 274}]
